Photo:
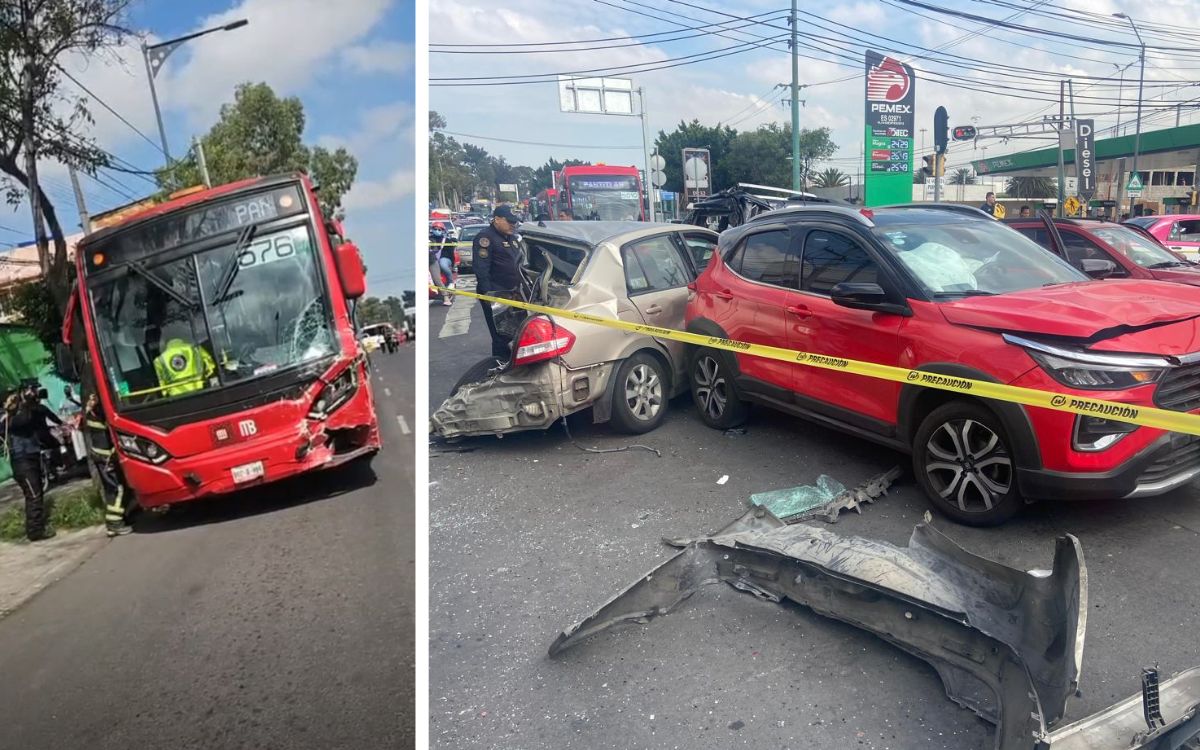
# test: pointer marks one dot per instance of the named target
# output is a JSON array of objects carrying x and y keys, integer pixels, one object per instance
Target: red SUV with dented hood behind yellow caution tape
[{"x": 951, "y": 291}]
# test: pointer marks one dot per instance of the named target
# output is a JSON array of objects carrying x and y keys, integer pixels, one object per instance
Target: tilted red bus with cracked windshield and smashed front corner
[{"x": 220, "y": 333}]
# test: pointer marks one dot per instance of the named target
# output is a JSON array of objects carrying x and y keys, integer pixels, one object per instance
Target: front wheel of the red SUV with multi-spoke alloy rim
[{"x": 963, "y": 460}]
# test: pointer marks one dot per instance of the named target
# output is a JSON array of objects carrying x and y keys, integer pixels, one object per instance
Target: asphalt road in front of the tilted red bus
[{"x": 281, "y": 619}]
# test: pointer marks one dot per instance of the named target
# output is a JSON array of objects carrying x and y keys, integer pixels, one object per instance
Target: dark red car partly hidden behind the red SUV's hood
[{"x": 1133, "y": 254}]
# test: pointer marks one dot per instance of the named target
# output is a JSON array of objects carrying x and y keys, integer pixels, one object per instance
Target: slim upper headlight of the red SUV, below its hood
[{"x": 1094, "y": 370}]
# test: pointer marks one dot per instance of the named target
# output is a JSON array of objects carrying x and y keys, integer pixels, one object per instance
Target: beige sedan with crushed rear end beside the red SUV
[{"x": 629, "y": 271}]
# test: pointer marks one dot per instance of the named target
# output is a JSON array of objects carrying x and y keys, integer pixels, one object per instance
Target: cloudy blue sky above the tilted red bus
[{"x": 350, "y": 63}]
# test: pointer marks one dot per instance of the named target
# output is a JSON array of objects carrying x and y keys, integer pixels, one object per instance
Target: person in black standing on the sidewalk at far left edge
[{"x": 23, "y": 428}]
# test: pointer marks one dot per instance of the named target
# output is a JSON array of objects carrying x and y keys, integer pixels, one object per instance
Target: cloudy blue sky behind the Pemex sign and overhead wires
[{"x": 739, "y": 89}]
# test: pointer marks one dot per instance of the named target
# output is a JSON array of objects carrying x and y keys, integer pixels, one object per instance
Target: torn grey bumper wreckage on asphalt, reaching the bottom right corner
[{"x": 1006, "y": 644}]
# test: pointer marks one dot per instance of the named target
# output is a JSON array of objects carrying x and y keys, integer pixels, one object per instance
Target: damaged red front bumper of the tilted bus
[{"x": 349, "y": 434}]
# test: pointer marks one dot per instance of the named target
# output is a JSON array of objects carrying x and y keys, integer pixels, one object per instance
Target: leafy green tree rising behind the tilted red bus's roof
[{"x": 260, "y": 134}]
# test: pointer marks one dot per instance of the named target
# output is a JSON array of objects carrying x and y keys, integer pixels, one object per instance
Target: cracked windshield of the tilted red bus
[{"x": 160, "y": 343}]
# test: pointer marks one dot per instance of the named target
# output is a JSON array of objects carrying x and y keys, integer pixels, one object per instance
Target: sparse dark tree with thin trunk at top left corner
[{"x": 40, "y": 119}]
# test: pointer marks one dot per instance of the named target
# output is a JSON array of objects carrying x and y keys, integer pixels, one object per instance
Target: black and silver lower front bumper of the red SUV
[{"x": 1168, "y": 464}]
